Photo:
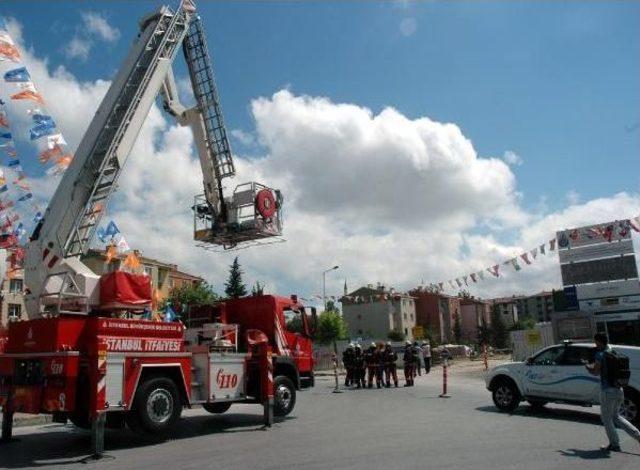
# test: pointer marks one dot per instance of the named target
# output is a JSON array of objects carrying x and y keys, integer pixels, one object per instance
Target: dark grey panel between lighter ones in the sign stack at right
[{"x": 608, "y": 269}]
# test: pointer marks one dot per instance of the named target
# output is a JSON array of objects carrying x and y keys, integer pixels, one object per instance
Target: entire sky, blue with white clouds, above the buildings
[{"x": 413, "y": 141}]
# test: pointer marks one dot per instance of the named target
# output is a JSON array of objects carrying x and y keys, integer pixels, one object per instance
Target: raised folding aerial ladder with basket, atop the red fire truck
[{"x": 57, "y": 280}]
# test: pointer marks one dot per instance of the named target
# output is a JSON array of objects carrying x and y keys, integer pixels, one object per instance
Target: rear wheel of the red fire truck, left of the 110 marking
[{"x": 156, "y": 406}]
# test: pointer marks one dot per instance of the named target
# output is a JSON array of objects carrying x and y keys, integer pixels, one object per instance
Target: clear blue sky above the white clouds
[{"x": 555, "y": 82}]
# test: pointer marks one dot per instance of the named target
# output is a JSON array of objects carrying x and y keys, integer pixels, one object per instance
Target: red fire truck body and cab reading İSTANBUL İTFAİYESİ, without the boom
[{"x": 142, "y": 373}]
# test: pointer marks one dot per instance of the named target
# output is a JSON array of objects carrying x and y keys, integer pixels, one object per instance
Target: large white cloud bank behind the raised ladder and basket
[{"x": 387, "y": 198}]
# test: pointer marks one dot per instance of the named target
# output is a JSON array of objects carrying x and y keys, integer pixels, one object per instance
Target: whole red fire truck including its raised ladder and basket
[{"x": 83, "y": 355}]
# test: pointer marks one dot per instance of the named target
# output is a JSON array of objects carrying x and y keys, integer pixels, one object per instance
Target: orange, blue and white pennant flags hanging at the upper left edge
[{"x": 16, "y": 196}]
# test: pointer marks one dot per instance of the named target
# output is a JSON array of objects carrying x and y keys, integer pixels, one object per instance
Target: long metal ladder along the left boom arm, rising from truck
[{"x": 113, "y": 144}]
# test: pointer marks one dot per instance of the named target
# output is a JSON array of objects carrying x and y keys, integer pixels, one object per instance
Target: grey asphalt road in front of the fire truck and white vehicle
[{"x": 358, "y": 429}]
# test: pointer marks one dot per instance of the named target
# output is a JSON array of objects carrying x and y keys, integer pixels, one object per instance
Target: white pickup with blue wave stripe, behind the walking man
[{"x": 557, "y": 374}]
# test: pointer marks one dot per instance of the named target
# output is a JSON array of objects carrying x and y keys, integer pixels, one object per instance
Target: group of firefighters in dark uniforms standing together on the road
[{"x": 377, "y": 364}]
